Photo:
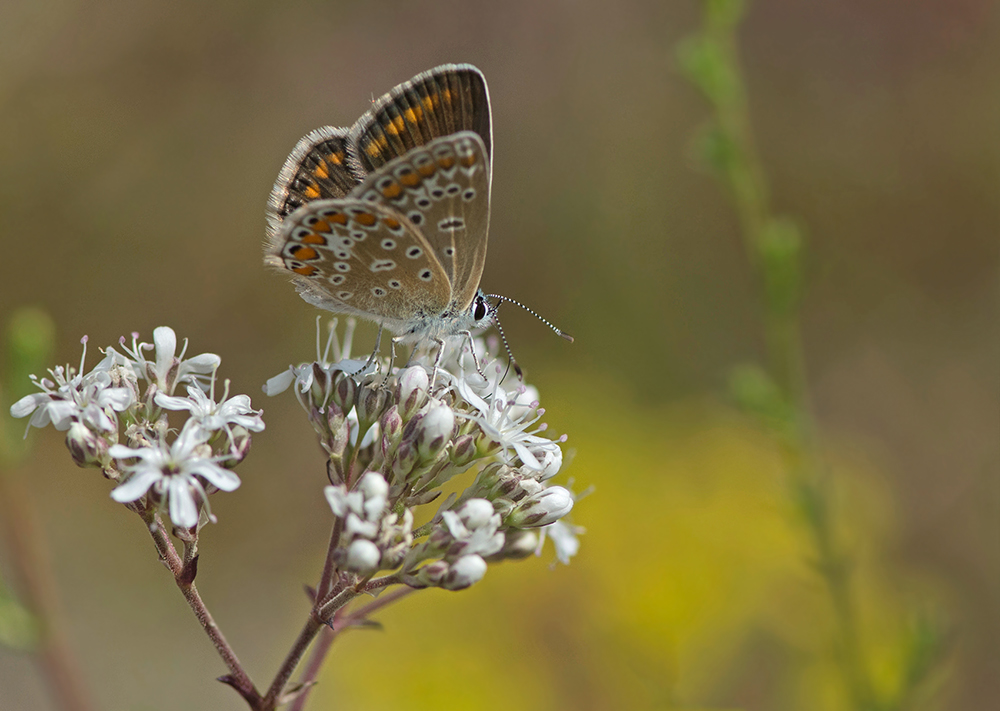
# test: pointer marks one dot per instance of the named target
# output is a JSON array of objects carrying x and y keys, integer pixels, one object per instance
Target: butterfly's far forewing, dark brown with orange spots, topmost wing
[{"x": 439, "y": 102}]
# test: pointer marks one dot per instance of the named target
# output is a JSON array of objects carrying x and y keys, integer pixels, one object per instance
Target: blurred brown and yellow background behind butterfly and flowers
[{"x": 139, "y": 143}]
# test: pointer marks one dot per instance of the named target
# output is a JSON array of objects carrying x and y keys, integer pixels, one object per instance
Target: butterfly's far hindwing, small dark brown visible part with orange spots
[{"x": 315, "y": 170}]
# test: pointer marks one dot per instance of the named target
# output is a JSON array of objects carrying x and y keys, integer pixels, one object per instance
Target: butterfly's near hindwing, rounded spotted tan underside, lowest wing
[{"x": 355, "y": 256}]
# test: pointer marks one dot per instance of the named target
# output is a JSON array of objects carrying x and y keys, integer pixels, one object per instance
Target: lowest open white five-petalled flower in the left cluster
[{"x": 175, "y": 472}]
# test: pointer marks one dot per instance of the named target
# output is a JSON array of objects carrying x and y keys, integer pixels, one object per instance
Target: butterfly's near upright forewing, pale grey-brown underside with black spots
[{"x": 443, "y": 189}]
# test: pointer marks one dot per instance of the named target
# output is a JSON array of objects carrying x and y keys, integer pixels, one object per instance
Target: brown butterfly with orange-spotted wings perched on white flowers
[{"x": 388, "y": 219}]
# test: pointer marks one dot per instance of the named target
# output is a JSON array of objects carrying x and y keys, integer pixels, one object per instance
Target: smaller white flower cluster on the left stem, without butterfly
[{"x": 113, "y": 424}]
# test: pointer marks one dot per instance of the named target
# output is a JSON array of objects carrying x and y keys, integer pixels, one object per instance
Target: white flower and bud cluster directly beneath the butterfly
[{"x": 398, "y": 439}]
